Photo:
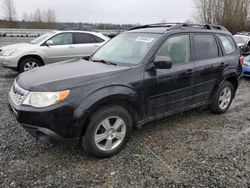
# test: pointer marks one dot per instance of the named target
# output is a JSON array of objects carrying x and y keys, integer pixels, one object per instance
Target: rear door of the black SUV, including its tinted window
[{"x": 209, "y": 64}]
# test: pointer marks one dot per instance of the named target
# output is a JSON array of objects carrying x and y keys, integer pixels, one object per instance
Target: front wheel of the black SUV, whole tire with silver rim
[{"x": 103, "y": 147}]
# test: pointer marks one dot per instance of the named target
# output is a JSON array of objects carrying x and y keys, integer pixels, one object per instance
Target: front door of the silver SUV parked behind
[{"x": 61, "y": 49}]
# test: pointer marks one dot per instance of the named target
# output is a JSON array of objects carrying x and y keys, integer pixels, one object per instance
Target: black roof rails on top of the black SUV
[{"x": 173, "y": 26}]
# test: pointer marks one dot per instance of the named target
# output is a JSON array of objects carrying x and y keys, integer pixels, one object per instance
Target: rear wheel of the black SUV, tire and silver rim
[{"x": 226, "y": 90}]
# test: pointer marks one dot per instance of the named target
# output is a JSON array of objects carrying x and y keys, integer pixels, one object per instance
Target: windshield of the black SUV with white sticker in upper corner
[{"x": 127, "y": 48}]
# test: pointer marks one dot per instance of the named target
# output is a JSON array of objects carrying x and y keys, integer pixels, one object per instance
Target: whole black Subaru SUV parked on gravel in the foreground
[{"x": 144, "y": 74}]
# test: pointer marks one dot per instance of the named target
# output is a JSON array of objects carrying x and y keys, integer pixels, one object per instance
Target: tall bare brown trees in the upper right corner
[{"x": 233, "y": 14}]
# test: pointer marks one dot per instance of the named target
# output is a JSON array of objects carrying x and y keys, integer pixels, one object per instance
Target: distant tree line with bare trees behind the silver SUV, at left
[{"x": 46, "y": 19}]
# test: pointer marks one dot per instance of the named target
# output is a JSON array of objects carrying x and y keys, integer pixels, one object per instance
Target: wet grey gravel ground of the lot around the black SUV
[{"x": 192, "y": 149}]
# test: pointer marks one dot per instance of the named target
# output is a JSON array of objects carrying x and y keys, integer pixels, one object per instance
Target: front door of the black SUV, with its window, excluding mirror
[{"x": 170, "y": 90}]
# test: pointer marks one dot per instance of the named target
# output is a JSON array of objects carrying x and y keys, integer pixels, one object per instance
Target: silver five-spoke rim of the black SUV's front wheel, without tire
[{"x": 110, "y": 133}]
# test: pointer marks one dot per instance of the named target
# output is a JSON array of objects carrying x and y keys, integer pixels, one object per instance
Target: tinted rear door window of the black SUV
[{"x": 205, "y": 47}]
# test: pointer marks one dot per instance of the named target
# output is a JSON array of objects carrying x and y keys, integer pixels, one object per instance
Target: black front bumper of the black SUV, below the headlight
[{"x": 53, "y": 125}]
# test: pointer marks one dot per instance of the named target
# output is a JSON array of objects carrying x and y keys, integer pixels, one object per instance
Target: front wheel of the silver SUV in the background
[{"x": 28, "y": 64}]
